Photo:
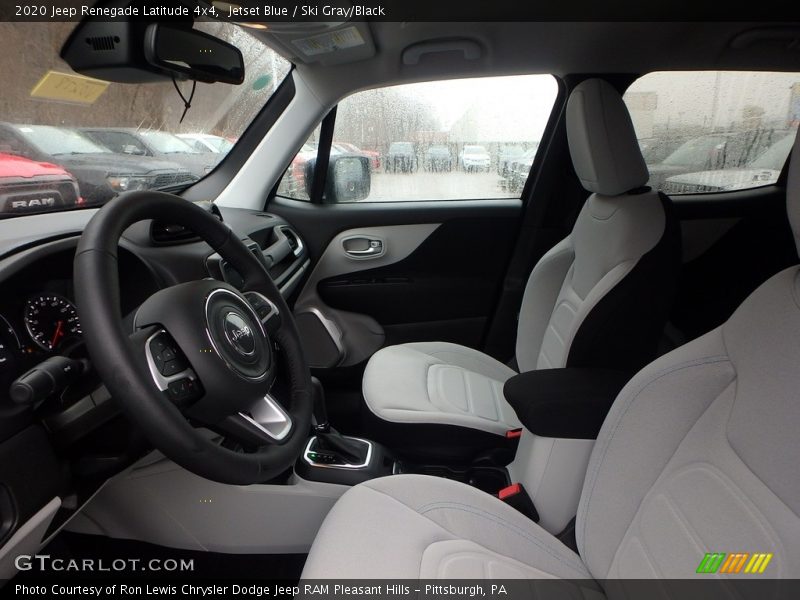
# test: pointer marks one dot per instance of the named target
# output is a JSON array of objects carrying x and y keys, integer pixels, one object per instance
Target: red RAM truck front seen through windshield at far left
[{"x": 31, "y": 186}]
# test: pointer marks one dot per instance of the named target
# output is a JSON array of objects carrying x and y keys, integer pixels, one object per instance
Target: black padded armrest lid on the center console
[{"x": 564, "y": 403}]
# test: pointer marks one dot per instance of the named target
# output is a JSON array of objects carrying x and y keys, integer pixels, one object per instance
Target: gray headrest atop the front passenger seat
[{"x": 602, "y": 142}]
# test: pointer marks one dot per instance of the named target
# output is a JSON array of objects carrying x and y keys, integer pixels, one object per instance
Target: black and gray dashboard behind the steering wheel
[{"x": 77, "y": 438}]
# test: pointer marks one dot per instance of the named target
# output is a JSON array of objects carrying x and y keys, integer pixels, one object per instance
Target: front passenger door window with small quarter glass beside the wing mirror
[{"x": 464, "y": 139}]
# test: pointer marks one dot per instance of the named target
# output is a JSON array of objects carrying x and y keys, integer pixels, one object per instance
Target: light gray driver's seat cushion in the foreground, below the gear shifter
[{"x": 417, "y": 526}]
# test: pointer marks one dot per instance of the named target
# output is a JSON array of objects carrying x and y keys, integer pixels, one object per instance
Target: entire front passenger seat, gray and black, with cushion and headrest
[{"x": 600, "y": 298}]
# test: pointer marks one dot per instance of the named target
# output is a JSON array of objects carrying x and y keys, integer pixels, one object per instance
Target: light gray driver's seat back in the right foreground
[{"x": 700, "y": 453}]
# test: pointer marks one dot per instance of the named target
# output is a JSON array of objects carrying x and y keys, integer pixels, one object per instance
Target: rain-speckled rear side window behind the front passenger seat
[{"x": 714, "y": 131}]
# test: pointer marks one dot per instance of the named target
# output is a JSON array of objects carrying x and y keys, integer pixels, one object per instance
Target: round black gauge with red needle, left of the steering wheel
[{"x": 50, "y": 319}]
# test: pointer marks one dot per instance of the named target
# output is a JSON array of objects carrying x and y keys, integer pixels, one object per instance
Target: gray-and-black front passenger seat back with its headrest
[{"x": 601, "y": 296}]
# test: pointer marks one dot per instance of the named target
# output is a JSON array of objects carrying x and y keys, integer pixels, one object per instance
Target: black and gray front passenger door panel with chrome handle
[{"x": 437, "y": 276}]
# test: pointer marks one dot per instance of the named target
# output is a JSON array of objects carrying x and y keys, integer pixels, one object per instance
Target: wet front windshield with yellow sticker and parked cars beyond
[{"x": 108, "y": 138}]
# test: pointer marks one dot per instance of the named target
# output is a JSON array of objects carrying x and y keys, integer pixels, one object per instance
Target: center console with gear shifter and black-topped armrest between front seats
[{"x": 562, "y": 411}]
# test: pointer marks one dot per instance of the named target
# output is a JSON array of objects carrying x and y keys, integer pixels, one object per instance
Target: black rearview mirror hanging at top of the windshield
[{"x": 192, "y": 54}]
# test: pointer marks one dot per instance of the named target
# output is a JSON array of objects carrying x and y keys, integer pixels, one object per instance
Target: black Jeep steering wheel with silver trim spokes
[{"x": 204, "y": 355}]
